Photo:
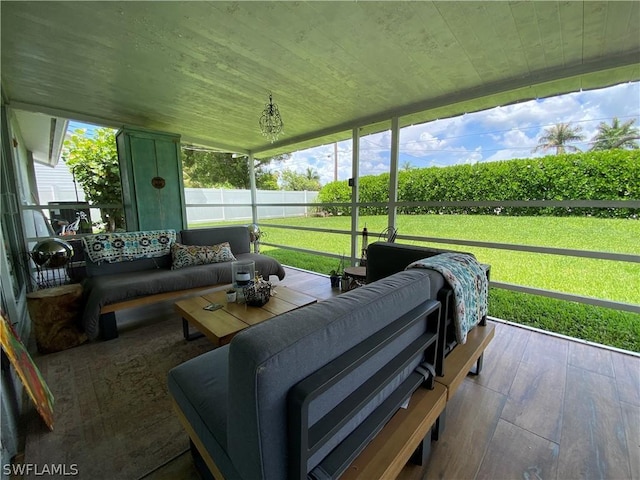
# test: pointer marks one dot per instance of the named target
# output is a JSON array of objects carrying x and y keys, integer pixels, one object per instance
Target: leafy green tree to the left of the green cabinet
[{"x": 94, "y": 163}]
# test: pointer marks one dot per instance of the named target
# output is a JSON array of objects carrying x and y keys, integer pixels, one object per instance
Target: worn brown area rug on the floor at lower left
[{"x": 112, "y": 414}]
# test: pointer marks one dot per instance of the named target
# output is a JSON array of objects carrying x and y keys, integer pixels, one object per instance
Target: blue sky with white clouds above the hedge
[{"x": 500, "y": 133}]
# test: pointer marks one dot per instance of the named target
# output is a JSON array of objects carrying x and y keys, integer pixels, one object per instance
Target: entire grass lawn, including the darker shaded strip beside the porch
[{"x": 605, "y": 279}]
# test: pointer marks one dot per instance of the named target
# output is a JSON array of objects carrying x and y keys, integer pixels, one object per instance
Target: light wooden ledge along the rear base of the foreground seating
[{"x": 411, "y": 430}]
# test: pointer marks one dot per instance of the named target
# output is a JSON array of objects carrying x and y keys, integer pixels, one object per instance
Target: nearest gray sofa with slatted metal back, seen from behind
[{"x": 300, "y": 395}]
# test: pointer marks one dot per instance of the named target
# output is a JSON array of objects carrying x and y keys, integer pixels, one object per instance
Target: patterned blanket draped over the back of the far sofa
[{"x": 128, "y": 246}]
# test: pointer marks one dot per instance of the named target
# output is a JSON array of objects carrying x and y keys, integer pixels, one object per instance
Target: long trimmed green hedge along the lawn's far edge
[{"x": 599, "y": 175}]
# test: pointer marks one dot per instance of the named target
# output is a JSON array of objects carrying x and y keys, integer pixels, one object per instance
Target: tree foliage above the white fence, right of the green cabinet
[{"x": 207, "y": 169}]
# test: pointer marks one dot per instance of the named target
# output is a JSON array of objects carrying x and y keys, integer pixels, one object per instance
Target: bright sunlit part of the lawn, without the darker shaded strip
[{"x": 611, "y": 280}]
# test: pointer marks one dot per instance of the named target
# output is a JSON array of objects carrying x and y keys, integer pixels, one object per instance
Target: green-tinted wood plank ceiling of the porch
[{"x": 205, "y": 69}]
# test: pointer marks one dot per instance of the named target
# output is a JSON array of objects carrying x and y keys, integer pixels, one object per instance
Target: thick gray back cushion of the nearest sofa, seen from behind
[{"x": 266, "y": 360}]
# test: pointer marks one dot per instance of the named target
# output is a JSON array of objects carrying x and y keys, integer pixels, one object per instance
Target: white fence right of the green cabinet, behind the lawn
[{"x": 206, "y": 205}]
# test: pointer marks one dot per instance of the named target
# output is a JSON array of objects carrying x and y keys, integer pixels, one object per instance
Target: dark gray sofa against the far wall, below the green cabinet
[{"x": 109, "y": 284}]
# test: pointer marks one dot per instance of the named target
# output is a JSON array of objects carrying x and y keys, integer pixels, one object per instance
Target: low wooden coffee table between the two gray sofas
[{"x": 220, "y": 326}]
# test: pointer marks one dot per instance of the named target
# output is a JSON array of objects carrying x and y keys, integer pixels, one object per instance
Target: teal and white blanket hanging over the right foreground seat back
[{"x": 470, "y": 286}]
